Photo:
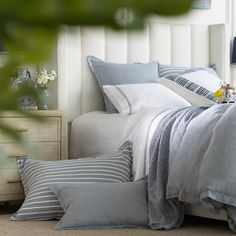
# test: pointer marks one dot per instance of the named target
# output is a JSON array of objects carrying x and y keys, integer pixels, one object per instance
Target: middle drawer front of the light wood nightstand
[{"x": 37, "y": 151}]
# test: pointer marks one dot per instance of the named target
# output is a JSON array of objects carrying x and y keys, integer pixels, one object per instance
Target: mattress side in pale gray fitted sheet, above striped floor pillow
[{"x": 98, "y": 133}]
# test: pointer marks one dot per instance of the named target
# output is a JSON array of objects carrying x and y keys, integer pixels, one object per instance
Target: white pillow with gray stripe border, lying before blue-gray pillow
[{"x": 131, "y": 98}]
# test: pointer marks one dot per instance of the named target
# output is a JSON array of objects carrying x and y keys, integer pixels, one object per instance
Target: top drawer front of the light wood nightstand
[{"x": 48, "y": 130}]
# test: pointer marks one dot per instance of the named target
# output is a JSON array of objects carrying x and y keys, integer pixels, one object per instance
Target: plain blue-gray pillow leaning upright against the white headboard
[{"x": 115, "y": 74}]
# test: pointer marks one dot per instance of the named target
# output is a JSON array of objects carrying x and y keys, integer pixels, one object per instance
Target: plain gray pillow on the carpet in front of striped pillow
[{"x": 102, "y": 205}]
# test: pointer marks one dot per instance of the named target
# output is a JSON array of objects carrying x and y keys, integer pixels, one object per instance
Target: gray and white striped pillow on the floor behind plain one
[{"x": 42, "y": 204}]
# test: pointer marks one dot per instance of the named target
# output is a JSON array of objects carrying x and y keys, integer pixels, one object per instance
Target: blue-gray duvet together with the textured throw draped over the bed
[{"x": 193, "y": 160}]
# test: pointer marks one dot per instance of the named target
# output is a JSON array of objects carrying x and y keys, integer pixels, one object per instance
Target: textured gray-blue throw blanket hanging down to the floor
[{"x": 163, "y": 213}]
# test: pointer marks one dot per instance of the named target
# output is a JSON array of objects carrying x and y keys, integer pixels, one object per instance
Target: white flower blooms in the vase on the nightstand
[{"x": 45, "y": 78}]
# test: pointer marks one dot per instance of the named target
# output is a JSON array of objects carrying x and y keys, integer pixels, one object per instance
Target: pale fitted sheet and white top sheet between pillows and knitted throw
[{"x": 99, "y": 132}]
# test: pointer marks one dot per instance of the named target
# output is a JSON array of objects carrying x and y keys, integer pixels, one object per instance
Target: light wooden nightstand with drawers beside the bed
[{"x": 45, "y": 140}]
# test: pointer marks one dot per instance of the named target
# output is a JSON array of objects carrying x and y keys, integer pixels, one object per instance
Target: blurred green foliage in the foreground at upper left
[{"x": 29, "y": 29}]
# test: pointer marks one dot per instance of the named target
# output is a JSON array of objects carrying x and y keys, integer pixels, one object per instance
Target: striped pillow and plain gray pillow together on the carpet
[{"x": 84, "y": 193}]
